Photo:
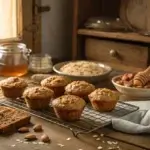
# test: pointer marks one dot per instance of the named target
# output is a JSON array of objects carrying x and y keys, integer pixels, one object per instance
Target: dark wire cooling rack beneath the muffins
[{"x": 90, "y": 120}]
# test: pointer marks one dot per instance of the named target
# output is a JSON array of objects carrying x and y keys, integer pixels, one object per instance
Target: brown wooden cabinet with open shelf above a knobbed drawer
[{"x": 128, "y": 51}]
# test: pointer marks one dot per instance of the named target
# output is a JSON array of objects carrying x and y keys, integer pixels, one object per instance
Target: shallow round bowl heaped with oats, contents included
[{"x": 89, "y": 71}]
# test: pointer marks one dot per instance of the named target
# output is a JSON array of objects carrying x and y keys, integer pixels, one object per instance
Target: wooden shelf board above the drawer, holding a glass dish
[{"x": 130, "y": 36}]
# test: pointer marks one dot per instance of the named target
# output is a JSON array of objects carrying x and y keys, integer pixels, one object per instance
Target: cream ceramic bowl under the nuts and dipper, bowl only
[{"x": 131, "y": 91}]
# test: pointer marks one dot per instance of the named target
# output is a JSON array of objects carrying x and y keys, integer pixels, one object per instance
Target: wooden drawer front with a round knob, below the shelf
[{"x": 126, "y": 54}]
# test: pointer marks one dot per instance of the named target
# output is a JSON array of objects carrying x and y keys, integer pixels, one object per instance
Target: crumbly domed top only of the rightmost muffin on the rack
[{"x": 103, "y": 94}]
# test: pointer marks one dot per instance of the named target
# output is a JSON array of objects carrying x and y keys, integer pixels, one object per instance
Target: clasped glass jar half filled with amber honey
[{"x": 14, "y": 59}]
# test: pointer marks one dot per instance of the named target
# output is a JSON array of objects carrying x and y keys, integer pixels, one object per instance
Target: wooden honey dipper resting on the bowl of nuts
[{"x": 141, "y": 78}]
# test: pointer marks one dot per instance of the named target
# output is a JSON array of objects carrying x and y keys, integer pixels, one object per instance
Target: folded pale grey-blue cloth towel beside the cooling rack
[{"x": 134, "y": 123}]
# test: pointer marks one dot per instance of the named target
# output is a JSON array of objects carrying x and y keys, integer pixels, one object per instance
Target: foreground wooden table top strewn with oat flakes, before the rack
[{"x": 59, "y": 136}]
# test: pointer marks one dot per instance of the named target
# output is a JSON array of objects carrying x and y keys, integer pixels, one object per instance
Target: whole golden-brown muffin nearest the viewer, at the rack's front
[{"x": 68, "y": 107}]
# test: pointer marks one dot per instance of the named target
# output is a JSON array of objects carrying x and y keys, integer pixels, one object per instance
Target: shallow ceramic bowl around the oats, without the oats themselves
[{"x": 92, "y": 79}]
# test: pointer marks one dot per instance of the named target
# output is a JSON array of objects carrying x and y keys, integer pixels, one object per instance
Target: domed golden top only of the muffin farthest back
[{"x": 55, "y": 81}]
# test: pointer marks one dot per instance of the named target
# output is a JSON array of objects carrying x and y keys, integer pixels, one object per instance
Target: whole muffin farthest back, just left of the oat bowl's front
[{"x": 56, "y": 83}]
